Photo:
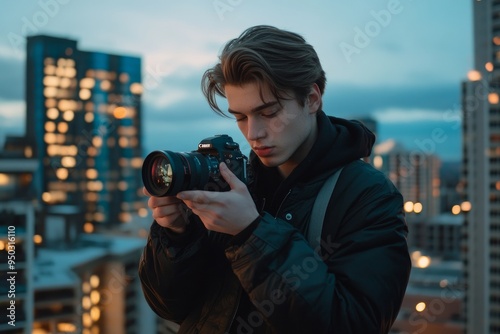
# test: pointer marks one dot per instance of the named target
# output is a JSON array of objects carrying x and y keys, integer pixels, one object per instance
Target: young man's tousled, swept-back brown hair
[{"x": 274, "y": 58}]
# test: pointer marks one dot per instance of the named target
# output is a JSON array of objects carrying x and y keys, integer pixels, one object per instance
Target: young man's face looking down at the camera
[{"x": 281, "y": 133}]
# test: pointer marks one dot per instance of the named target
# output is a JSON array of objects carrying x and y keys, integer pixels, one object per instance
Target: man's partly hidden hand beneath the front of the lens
[{"x": 168, "y": 212}]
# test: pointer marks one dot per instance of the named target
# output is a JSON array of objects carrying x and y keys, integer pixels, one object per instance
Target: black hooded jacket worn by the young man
[{"x": 268, "y": 279}]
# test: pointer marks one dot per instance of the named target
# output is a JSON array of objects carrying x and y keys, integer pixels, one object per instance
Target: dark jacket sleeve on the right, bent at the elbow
[{"x": 355, "y": 286}]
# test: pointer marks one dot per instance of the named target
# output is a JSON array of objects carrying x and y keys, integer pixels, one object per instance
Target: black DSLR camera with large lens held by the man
[{"x": 166, "y": 173}]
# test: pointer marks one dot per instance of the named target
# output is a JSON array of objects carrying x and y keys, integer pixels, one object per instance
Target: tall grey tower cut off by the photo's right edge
[{"x": 481, "y": 173}]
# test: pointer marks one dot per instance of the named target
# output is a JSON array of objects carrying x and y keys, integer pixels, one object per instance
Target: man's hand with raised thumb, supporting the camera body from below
[{"x": 227, "y": 212}]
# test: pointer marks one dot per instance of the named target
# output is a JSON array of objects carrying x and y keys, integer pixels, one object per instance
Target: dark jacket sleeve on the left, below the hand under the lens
[{"x": 171, "y": 270}]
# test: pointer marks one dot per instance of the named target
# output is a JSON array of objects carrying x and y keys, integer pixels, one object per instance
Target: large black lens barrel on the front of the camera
[{"x": 165, "y": 173}]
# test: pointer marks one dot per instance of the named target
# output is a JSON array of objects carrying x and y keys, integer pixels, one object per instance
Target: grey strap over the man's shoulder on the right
[{"x": 319, "y": 210}]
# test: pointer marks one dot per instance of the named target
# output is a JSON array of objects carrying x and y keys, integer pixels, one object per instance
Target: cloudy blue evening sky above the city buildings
[{"x": 400, "y": 62}]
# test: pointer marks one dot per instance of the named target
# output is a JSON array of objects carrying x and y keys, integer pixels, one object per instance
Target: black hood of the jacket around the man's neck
[{"x": 339, "y": 142}]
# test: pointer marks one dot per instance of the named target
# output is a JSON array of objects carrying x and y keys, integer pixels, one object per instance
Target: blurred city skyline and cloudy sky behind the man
[{"x": 88, "y": 89}]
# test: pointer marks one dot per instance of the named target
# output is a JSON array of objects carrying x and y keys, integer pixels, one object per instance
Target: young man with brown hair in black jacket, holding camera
[{"x": 259, "y": 274}]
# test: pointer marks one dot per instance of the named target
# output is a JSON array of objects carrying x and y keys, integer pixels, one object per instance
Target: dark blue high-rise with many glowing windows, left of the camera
[{"x": 84, "y": 126}]
